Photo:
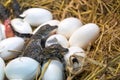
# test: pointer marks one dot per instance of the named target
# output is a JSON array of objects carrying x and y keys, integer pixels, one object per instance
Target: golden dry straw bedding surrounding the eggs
[{"x": 104, "y": 55}]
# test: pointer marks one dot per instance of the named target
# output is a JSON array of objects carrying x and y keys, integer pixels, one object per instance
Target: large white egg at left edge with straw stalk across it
[{"x": 13, "y": 44}]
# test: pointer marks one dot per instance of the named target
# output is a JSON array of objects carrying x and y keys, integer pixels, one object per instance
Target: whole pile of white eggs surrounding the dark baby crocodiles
[{"x": 71, "y": 34}]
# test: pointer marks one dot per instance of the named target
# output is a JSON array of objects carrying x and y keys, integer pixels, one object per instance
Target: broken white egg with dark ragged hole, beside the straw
[{"x": 74, "y": 51}]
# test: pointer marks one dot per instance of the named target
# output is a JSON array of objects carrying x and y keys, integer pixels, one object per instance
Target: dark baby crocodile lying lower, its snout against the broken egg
[{"x": 55, "y": 51}]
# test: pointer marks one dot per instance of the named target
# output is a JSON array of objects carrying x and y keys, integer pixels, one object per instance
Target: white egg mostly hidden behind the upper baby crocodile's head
[{"x": 51, "y": 23}]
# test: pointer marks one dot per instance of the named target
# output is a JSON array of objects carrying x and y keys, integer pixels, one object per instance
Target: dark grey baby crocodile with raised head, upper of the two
[{"x": 34, "y": 48}]
